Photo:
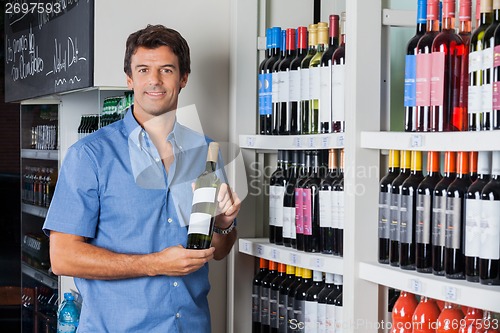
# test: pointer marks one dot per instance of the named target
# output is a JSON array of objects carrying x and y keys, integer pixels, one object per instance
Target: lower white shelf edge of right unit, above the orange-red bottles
[{"x": 438, "y": 287}]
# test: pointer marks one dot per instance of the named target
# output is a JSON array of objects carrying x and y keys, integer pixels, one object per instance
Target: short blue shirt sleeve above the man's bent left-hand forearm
[{"x": 74, "y": 208}]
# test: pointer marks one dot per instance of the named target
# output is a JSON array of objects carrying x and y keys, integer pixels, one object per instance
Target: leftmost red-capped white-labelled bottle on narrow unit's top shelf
[{"x": 284, "y": 78}]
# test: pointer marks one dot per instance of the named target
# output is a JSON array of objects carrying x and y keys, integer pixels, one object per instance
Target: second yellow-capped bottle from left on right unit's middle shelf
[{"x": 396, "y": 207}]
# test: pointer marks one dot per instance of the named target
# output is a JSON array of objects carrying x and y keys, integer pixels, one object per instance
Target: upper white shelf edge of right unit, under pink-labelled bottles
[{"x": 432, "y": 141}]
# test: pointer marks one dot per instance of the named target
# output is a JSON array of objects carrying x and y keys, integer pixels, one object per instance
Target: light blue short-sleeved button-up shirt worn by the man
[{"x": 113, "y": 189}]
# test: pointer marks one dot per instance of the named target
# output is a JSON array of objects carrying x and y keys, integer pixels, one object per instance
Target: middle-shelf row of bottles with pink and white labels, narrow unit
[{"x": 306, "y": 201}]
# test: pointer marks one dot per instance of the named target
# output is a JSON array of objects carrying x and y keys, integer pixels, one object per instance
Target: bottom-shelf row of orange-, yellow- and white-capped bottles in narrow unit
[{"x": 286, "y": 298}]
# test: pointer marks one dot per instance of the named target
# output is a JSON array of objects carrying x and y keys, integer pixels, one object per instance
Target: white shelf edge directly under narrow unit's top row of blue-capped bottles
[{"x": 291, "y": 142}]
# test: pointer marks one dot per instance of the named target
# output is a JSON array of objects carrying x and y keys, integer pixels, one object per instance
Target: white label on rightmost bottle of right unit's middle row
[{"x": 490, "y": 230}]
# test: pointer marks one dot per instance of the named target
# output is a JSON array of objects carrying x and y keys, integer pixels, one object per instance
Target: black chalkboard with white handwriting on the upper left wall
[{"x": 49, "y": 47}]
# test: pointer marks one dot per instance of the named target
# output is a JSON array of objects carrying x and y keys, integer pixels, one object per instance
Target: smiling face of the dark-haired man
[{"x": 156, "y": 82}]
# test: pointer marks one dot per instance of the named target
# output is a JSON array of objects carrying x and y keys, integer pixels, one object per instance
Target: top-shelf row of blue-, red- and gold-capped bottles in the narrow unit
[{"x": 301, "y": 79}]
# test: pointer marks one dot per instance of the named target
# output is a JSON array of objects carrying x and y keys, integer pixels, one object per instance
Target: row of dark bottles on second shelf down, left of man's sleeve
[{"x": 38, "y": 185}]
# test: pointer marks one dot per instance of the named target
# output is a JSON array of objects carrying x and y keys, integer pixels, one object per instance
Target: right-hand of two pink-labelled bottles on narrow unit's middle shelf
[{"x": 311, "y": 213}]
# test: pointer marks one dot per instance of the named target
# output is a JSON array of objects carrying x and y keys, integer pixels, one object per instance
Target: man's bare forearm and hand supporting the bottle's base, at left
[{"x": 71, "y": 255}]
